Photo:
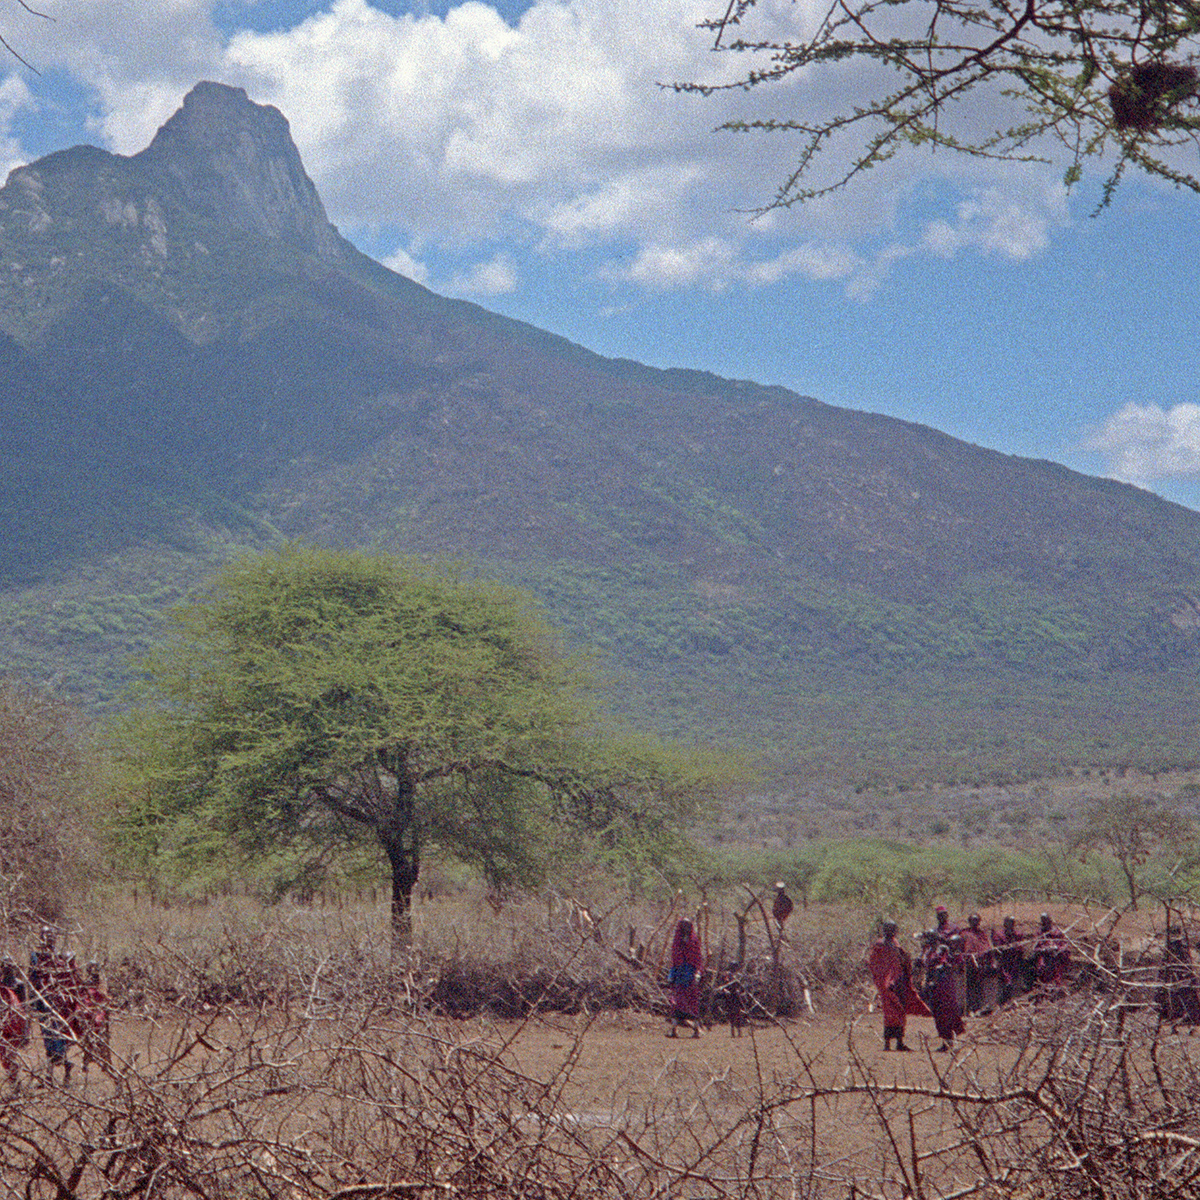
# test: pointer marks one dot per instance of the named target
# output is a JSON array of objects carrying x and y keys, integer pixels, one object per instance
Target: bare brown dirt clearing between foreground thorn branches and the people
[{"x": 705, "y": 1107}]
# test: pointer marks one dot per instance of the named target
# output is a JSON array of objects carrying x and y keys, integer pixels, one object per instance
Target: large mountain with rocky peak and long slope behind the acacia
[{"x": 193, "y": 361}]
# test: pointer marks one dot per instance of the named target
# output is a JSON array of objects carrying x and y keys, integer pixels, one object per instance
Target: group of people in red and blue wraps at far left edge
[{"x": 71, "y": 1009}]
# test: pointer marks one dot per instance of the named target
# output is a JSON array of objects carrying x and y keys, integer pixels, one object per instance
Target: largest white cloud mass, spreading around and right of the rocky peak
[{"x": 553, "y": 134}]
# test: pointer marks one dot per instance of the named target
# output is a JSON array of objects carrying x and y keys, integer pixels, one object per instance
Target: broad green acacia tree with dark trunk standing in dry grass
[{"x": 311, "y": 697}]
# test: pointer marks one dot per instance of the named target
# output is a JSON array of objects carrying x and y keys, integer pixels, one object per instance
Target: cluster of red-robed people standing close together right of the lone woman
[{"x": 964, "y": 970}]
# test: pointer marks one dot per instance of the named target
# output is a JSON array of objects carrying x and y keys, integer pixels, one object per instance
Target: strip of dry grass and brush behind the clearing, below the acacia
[{"x": 470, "y": 956}]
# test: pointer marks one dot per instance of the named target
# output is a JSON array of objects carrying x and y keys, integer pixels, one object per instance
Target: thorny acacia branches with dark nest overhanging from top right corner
[{"x": 1091, "y": 75}]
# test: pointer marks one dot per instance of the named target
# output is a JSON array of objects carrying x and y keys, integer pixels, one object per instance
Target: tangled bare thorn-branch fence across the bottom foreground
[{"x": 1083, "y": 1100}]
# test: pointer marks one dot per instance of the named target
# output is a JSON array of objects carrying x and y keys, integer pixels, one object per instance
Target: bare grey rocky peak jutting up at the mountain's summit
[{"x": 237, "y": 160}]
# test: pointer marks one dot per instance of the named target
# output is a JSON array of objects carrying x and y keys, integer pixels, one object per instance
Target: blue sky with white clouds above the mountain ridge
[{"x": 525, "y": 157}]
